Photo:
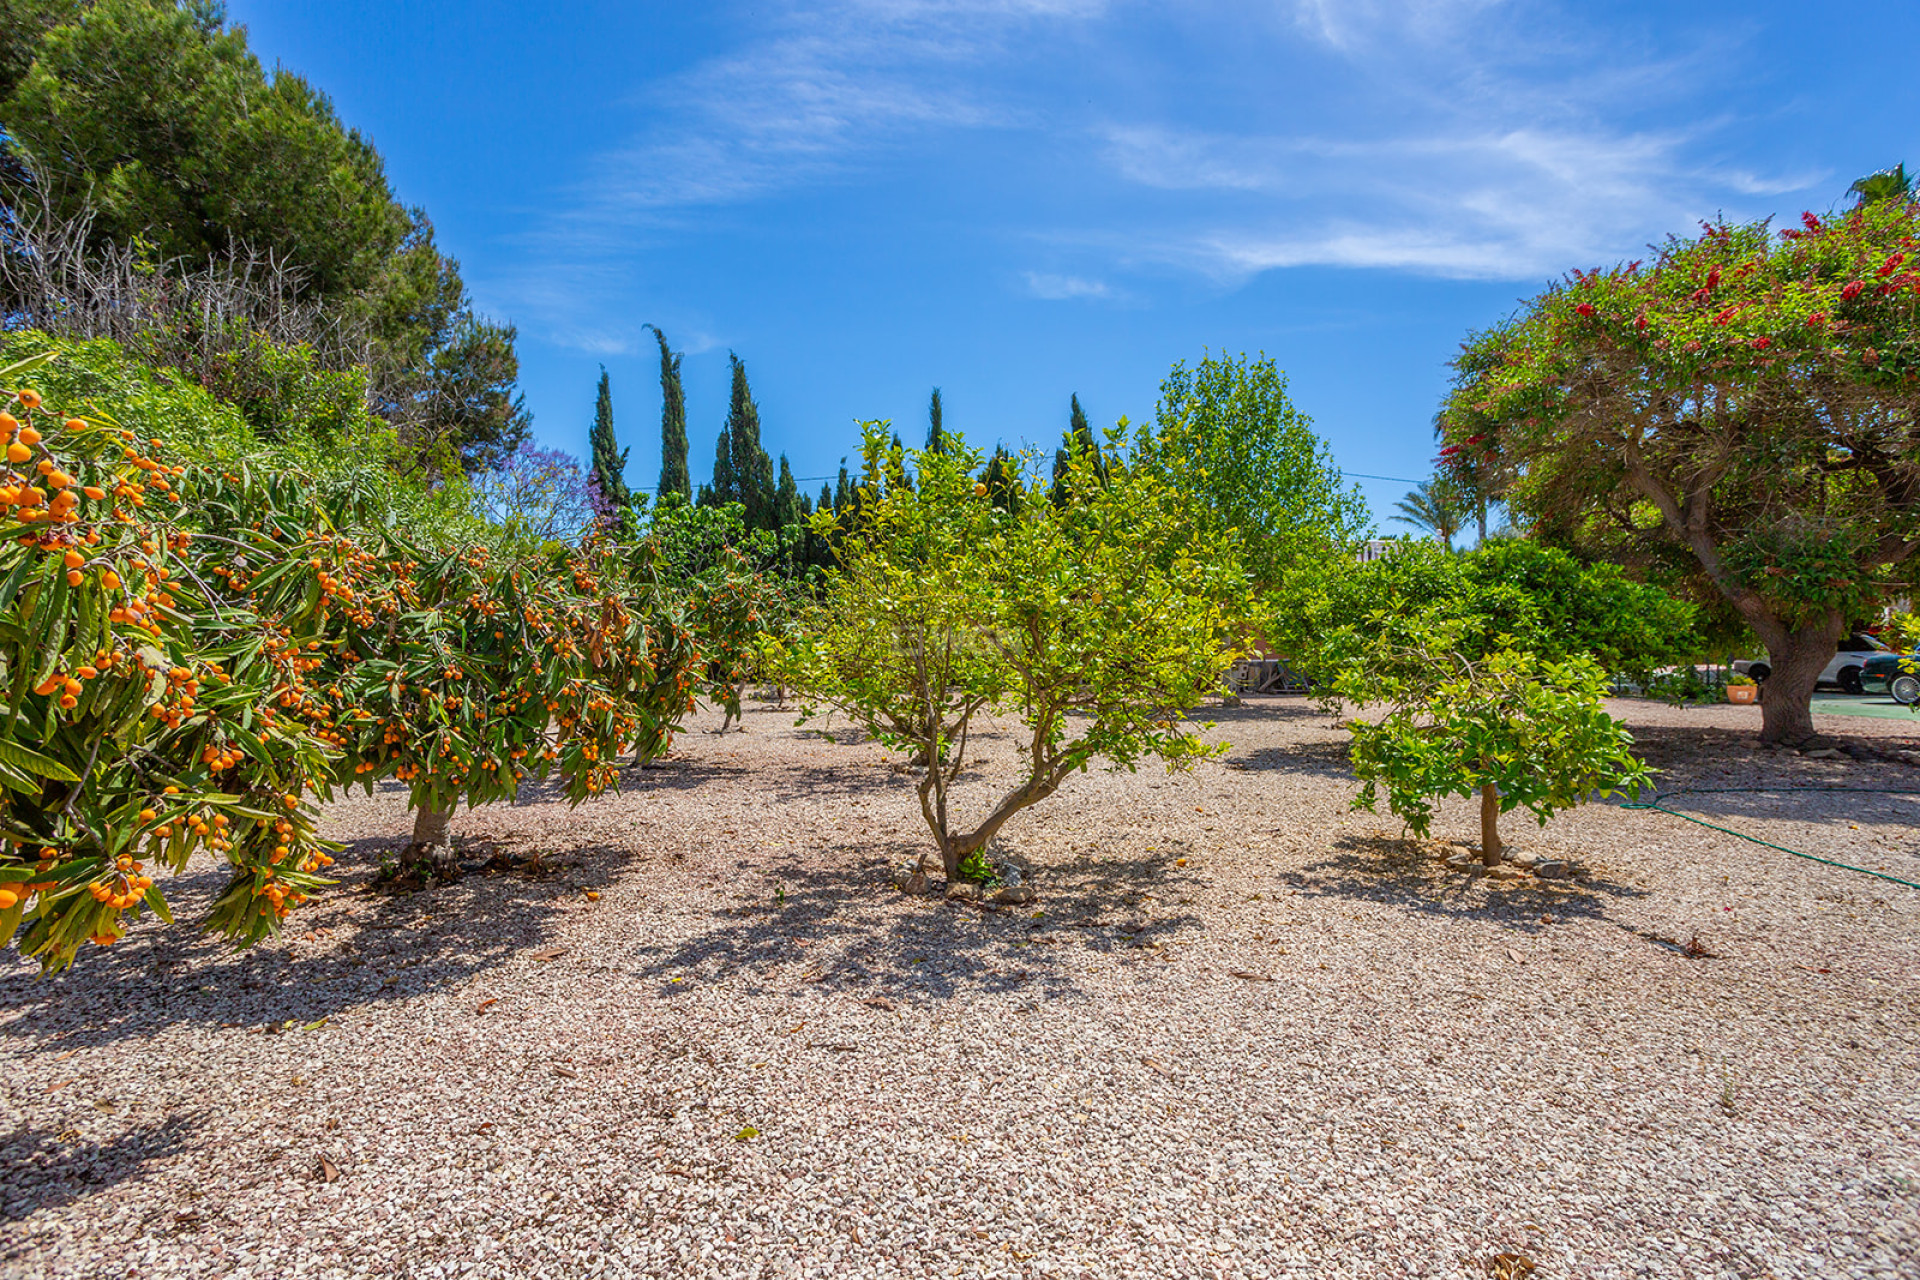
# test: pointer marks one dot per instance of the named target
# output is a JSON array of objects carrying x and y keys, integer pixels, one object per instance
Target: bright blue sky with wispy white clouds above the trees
[{"x": 1017, "y": 201}]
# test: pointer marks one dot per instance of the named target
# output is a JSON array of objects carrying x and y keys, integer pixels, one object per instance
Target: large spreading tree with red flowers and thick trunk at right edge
[{"x": 1740, "y": 412}]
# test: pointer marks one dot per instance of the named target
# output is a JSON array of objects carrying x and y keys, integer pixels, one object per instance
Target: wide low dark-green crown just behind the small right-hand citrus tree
[{"x": 1508, "y": 594}]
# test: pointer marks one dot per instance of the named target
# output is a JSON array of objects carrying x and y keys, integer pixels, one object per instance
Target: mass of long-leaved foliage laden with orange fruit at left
[{"x": 195, "y": 650}]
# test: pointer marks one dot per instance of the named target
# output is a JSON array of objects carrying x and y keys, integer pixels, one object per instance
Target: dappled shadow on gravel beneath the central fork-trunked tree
[{"x": 844, "y": 930}]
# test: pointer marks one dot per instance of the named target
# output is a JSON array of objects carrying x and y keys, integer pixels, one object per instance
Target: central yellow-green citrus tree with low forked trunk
[{"x": 1097, "y": 623}]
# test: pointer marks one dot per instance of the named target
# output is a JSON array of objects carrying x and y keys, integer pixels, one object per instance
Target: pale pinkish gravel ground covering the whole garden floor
[{"x": 1243, "y": 1033}]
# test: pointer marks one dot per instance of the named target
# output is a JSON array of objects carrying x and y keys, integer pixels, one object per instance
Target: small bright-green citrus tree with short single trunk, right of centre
[{"x": 1508, "y": 726}]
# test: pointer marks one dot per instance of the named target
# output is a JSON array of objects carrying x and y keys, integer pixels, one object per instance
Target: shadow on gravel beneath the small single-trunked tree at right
[{"x": 1397, "y": 872}]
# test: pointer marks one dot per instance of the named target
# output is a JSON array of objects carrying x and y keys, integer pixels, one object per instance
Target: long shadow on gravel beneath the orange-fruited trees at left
[{"x": 348, "y": 951}]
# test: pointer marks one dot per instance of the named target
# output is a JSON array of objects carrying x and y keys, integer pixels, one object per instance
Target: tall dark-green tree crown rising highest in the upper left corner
[{"x": 153, "y": 126}]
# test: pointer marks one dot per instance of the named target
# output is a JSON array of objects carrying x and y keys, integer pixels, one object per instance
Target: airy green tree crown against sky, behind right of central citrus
[{"x": 1228, "y": 435}]
